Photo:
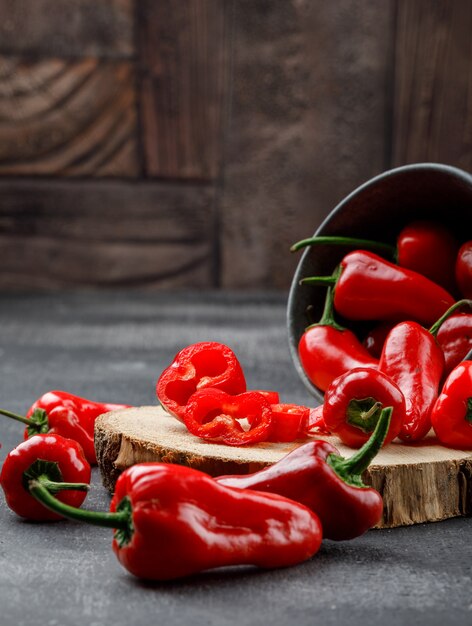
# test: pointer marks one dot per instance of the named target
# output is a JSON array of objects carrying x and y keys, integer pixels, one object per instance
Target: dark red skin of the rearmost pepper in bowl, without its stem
[{"x": 430, "y": 249}]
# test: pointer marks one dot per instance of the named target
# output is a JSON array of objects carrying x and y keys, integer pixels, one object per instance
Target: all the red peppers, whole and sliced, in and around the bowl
[{"x": 409, "y": 372}]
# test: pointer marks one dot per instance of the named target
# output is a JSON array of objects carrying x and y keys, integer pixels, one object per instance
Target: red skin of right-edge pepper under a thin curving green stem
[{"x": 455, "y": 339}]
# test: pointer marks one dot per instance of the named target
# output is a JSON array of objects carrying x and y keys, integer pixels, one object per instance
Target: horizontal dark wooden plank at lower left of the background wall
[{"x": 105, "y": 234}]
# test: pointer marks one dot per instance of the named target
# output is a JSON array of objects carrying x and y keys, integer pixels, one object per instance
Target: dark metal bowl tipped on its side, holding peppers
[{"x": 378, "y": 210}]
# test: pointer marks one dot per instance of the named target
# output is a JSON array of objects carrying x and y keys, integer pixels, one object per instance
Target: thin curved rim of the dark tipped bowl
[{"x": 421, "y": 167}]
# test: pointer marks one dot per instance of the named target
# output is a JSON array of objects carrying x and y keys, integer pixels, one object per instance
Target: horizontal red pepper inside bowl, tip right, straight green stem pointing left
[{"x": 367, "y": 287}]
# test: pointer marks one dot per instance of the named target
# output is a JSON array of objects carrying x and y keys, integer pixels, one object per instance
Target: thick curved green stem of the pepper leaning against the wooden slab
[{"x": 350, "y": 469}]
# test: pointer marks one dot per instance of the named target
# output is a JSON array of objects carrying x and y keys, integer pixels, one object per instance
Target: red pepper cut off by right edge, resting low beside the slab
[{"x": 451, "y": 416}]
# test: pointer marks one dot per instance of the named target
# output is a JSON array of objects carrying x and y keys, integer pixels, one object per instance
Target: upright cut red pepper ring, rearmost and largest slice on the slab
[{"x": 199, "y": 366}]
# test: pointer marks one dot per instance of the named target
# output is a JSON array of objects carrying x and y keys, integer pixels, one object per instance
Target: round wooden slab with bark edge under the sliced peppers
[{"x": 419, "y": 483}]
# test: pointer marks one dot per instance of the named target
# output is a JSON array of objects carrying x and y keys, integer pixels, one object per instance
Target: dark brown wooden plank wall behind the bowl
[{"x": 167, "y": 145}]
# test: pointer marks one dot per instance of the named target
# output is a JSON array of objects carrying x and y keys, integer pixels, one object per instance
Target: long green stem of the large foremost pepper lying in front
[{"x": 108, "y": 520}]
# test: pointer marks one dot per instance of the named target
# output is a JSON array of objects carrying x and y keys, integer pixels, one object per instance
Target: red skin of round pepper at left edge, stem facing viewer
[{"x": 70, "y": 460}]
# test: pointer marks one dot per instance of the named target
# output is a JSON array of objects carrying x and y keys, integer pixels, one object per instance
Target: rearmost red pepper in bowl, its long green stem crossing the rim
[{"x": 423, "y": 246}]
